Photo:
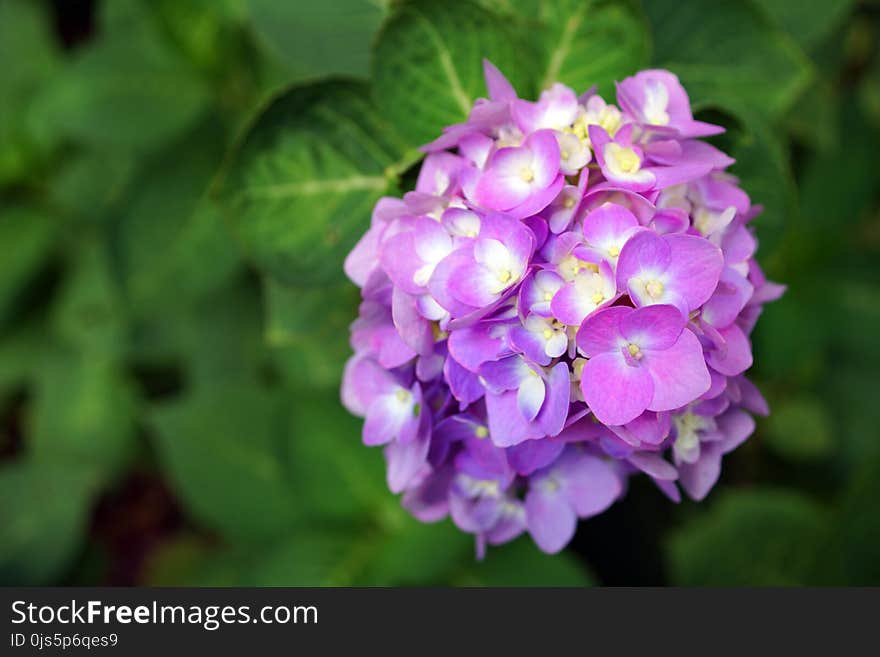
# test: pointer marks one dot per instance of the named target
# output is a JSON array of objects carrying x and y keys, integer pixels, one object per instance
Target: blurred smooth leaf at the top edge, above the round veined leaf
[{"x": 310, "y": 39}]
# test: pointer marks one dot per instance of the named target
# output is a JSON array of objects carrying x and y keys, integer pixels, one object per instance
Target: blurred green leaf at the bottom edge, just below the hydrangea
[{"x": 521, "y": 563}]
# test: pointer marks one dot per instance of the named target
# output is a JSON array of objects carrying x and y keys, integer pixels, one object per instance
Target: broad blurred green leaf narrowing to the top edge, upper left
[{"x": 127, "y": 89}]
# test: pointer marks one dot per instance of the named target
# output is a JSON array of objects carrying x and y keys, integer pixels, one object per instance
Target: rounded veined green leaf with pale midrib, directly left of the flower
[{"x": 303, "y": 182}]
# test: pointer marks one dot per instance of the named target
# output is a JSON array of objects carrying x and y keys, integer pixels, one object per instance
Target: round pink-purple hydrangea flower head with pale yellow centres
[{"x": 564, "y": 300}]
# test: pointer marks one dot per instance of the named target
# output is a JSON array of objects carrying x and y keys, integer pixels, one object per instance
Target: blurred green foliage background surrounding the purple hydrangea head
[{"x": 170, "y": 347}]
